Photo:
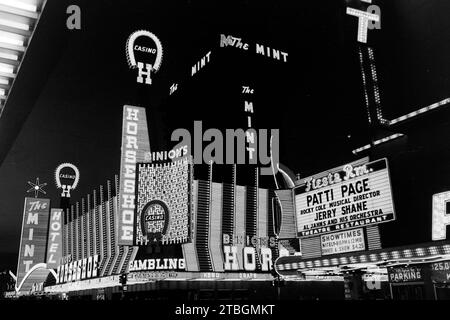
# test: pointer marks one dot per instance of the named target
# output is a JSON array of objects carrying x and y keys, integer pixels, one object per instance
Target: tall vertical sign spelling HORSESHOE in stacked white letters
[{"x": 135, "y": 145}]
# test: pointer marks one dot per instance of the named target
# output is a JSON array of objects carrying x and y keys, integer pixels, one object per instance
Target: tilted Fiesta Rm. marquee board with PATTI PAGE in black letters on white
[{"x": 350, "y": 198}]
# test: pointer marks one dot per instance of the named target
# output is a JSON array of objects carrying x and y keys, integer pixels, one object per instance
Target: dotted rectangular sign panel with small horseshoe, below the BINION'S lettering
[{"x": 164, "y": 202}]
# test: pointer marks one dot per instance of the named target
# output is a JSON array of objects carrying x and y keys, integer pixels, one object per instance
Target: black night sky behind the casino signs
[{"x": 315, "y": 99}]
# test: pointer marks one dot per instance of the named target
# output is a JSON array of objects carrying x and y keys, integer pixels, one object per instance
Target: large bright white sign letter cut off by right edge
[{"x": 441, "y": 215}]
